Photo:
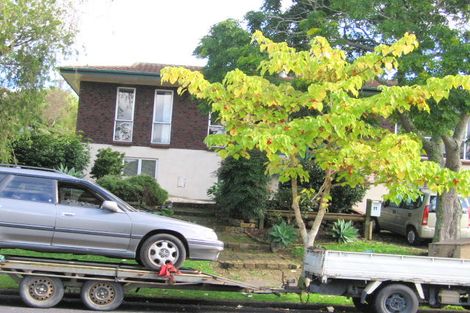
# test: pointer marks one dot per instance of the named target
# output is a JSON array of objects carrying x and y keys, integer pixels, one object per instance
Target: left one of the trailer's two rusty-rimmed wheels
[{"x": 41, "y": 292}]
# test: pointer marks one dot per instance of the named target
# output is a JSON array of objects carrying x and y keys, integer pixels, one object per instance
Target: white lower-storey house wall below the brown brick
[{"x": 185, "y": 174}]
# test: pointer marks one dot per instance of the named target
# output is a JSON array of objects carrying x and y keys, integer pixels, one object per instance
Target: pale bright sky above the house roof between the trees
[{"x": 123, "y": 32}]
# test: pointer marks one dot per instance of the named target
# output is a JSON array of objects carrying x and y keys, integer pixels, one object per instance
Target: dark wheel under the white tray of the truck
[{"x": 396, "y": 298}]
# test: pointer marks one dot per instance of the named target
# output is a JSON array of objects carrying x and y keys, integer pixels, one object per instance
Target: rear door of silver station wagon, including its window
[{"x": 27, "y": 210}]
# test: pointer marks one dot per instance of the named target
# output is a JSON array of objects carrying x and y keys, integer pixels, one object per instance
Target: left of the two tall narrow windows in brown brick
[{"x": 124, "y": 119}]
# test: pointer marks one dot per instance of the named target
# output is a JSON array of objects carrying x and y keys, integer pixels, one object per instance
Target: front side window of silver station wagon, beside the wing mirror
[{"x": 78, "y": 195}]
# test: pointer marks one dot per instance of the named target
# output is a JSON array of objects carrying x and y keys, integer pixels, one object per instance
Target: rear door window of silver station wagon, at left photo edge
[{"x": 28, "y": 188}]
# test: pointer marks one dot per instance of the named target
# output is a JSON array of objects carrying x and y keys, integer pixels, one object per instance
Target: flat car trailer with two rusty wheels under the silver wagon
[{"x": 42, "y": 282}]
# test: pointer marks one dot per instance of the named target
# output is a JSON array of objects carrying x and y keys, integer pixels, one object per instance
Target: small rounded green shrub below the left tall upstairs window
[{"x": 108, "y": 162}]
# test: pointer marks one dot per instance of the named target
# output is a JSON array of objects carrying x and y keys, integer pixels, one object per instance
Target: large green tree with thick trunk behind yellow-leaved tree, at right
[{"x": 358, "y": 26}]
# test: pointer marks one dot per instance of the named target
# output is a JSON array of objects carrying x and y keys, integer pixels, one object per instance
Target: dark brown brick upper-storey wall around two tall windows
[{"x": 97, "y": 110}]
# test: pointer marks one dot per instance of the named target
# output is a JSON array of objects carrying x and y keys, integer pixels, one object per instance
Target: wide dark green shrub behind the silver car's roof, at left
[{"x": 51, "y": 150}]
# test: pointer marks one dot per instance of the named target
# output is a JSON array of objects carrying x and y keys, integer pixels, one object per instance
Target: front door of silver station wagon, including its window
[{"x": 83, "y": 224}]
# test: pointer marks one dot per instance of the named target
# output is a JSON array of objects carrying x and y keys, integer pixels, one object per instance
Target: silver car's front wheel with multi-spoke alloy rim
[{"x": 159, "y": 248}]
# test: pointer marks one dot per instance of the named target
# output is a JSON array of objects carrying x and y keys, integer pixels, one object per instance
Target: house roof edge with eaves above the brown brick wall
[{"x": 135, "y": 74}]
